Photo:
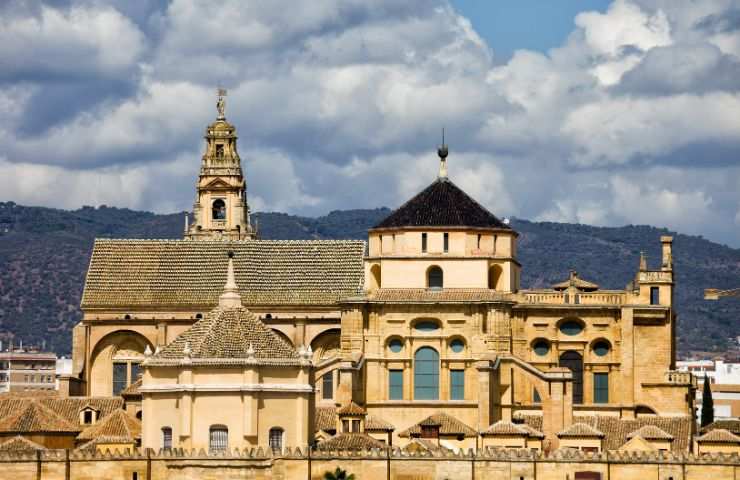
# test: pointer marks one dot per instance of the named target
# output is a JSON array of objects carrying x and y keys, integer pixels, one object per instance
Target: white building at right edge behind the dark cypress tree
[{"x": 724, "y": 379}]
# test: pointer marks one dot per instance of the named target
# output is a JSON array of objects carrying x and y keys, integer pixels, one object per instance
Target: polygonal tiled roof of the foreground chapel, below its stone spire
[{"x": 228, "y": 333}]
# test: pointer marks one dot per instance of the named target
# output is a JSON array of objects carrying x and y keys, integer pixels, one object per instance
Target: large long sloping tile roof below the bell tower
[{"x": 191, "y": 274}]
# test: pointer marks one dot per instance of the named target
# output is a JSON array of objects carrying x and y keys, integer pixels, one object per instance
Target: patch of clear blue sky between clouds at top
[{"x": 525, "y": 24}]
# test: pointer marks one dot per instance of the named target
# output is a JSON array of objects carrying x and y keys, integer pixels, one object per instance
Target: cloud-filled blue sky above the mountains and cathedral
[{"x": 596, "y": 112}]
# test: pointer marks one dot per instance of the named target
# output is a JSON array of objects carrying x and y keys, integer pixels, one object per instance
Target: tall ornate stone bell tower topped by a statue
[{"x": 221, "y": 209}]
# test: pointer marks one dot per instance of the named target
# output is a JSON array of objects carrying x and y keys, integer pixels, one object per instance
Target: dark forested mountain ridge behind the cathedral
[{"x": 44, "y": 255}]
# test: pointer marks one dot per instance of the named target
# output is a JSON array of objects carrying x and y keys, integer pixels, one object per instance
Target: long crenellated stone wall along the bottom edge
[{"x": 380, "y": 464}]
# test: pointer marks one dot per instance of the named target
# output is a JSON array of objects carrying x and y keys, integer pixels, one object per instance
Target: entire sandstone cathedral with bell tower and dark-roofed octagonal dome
[{"x": 421, "y": 337}]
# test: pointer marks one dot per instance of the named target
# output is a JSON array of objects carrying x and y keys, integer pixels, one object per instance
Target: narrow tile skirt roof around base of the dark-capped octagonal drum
[{"x": 415, "y": 295}]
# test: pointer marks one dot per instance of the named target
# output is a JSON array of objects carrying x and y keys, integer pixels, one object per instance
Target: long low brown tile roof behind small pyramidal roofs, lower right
[{"x": 616, "y": 429}]
